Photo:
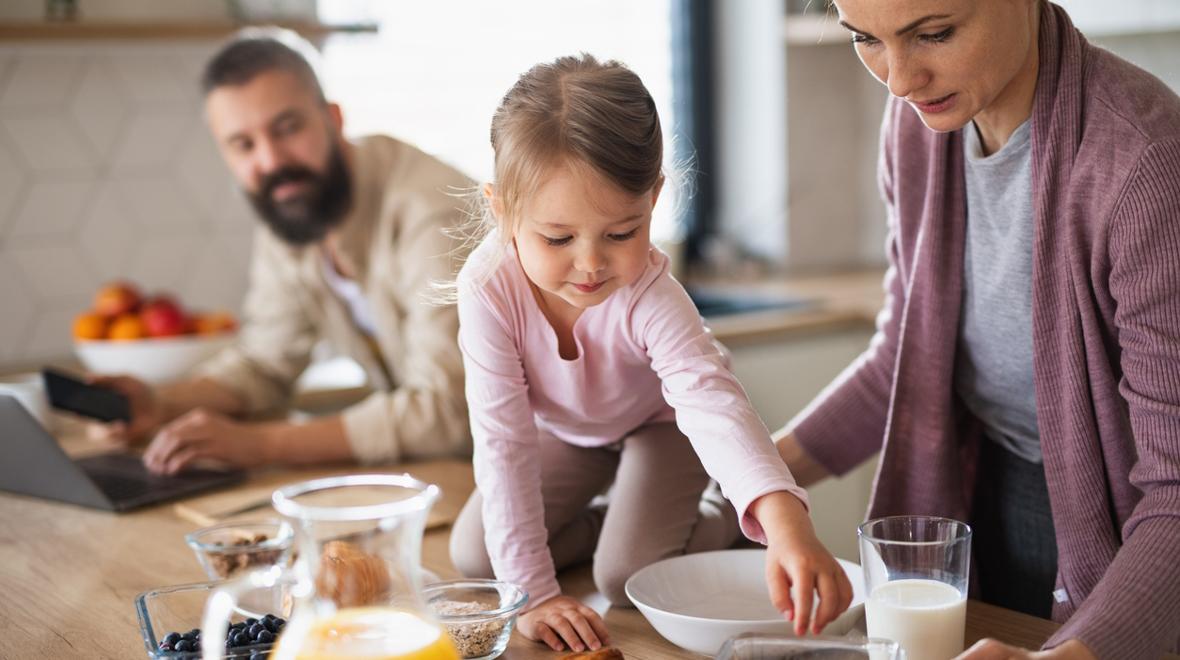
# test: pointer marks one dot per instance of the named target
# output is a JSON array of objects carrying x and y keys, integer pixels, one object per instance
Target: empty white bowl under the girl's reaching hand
[{"x": 699, "y": 602}]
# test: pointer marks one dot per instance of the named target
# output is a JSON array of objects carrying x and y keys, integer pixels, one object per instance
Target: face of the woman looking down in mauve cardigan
[{"x": 949, "y": 60}]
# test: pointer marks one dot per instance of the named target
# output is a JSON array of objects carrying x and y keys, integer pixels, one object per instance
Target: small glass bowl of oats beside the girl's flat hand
[{"x": 478, "y": 615}]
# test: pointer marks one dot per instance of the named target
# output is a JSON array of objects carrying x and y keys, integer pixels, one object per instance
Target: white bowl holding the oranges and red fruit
[{"x": 155, "y": 360}]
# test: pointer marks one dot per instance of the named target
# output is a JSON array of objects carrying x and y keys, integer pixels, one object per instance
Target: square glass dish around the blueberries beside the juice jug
[{"x": 181, "y": 609}]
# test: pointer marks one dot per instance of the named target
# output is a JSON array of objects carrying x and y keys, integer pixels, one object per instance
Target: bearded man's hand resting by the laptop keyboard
[{"x": 202, "y": 434}]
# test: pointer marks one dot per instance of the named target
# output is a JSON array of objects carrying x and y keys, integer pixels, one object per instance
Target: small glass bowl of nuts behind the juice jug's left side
[{"x": 228, "y": 550}]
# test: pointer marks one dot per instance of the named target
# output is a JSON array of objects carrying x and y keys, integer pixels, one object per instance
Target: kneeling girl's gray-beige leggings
[{"x": 661, "y": 505}]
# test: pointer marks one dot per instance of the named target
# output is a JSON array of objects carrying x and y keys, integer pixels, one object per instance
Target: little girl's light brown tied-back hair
[{"x": 574, "y": 112}]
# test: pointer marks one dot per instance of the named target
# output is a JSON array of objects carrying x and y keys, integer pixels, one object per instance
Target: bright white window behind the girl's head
[{"x": 436, "y": 71}]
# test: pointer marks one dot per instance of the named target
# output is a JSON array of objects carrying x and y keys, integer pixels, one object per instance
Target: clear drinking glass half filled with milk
[{"x": 916, "y": 576}]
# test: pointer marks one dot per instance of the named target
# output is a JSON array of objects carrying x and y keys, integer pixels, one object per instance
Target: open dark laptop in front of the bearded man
[{"x": 34, "y": 463}]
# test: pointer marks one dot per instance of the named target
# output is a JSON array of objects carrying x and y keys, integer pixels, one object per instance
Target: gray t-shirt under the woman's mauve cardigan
[{"x": 994, "y": 362}]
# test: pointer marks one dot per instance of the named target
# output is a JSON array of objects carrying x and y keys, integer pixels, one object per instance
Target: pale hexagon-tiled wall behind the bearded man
[{"x": 107, "y": 172}]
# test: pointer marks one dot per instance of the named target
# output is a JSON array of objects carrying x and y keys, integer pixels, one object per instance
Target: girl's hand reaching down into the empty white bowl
[{"x": 798, "y": 563}]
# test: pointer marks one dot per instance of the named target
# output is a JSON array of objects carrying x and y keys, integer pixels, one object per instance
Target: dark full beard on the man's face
[{"x": 306, "y": 218}]
